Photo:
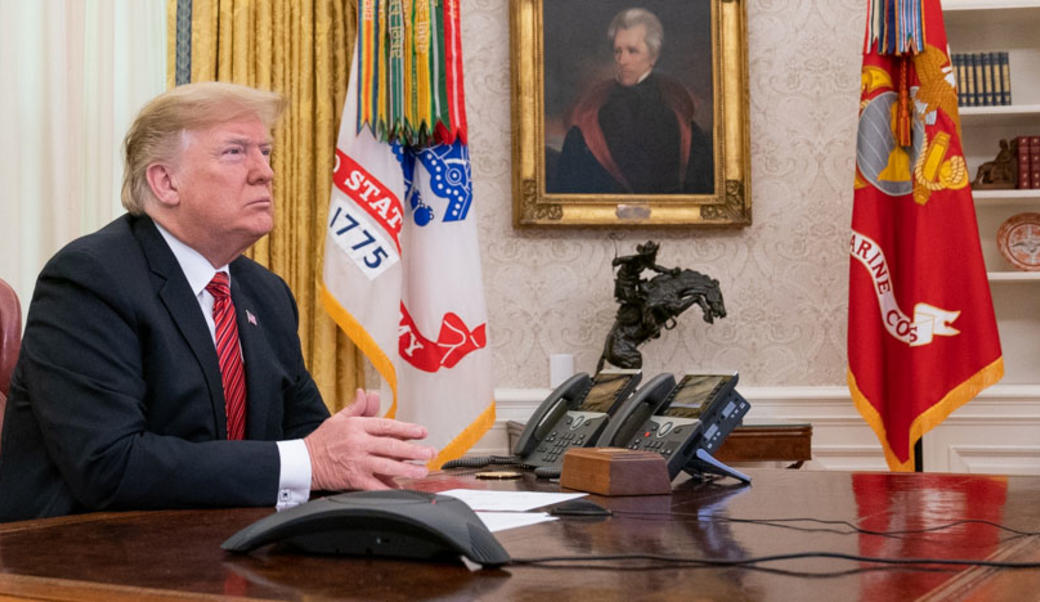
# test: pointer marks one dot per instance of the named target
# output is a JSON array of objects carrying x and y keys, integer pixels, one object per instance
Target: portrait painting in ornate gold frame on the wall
[{"x": 630, "y": 114}]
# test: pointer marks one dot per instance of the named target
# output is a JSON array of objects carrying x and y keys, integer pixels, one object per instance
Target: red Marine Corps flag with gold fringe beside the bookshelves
[{"x": 923, "y": 337}]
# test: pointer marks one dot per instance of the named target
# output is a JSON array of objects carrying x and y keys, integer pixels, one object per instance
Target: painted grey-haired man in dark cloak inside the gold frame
[{"x": 636, "y": 134}]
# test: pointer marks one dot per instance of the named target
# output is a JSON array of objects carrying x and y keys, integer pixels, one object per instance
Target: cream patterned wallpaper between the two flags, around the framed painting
[{"x": 785, "y": 278}]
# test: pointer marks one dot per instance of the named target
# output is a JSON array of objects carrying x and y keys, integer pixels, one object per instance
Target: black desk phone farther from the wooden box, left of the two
[{"x": 574, "y": 416}]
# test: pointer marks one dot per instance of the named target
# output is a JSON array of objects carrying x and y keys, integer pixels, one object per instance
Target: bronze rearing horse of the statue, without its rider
[{"x": 657, "y": 304}]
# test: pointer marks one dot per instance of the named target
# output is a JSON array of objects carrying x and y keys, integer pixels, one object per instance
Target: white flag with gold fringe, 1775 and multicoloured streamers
[{"x": 402, "y": 272}]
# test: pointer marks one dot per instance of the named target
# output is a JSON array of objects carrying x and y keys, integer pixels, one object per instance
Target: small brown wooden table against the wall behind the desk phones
[{"x": 747, "y": 443}]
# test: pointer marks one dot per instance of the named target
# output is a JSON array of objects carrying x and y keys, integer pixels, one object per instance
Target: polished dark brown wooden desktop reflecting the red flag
[{"x": 176, "y": 555}]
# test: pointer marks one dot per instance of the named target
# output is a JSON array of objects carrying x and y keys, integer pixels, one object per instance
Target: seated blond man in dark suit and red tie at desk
[{"x": 128, "y": 392}]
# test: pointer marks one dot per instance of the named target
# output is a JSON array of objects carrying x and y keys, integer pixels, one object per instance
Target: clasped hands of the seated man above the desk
[{"x": 353, "y": 450}]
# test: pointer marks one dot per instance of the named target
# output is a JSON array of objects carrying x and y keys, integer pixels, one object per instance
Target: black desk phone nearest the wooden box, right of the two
[{"x": 689, "y": 422}]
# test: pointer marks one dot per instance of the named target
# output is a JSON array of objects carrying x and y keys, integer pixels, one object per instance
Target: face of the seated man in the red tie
[{"x": 224, "y": 180}]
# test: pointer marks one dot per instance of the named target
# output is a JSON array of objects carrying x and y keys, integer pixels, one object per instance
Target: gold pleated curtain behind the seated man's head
[{"x": 303, "y": 50}]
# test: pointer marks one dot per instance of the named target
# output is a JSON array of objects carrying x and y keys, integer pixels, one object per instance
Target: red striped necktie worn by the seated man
[{"x": 232, "y": 373}]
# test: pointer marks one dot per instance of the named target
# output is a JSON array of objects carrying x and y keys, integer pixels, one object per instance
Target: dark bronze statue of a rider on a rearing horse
[{"x": 646, "y": 306}]
